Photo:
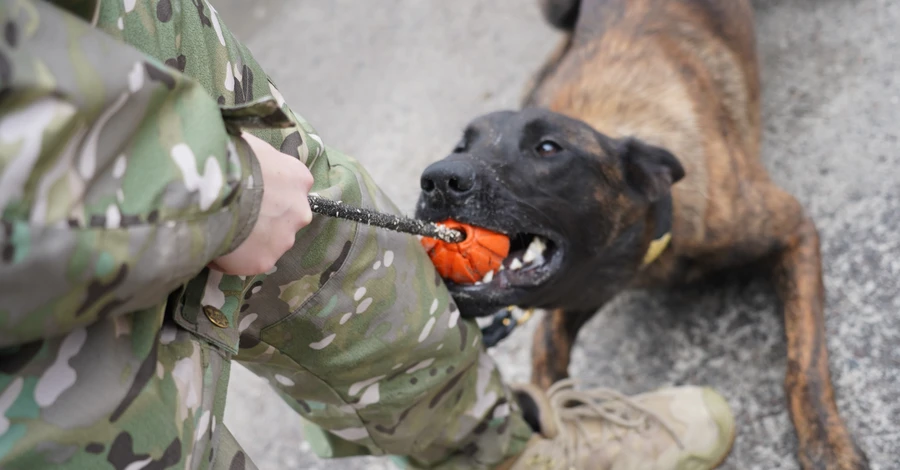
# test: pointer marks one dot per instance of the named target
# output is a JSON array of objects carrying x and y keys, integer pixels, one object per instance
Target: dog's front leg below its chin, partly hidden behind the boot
[{"x": 552, "y": 345}]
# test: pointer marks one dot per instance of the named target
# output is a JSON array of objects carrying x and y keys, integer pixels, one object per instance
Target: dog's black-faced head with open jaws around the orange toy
[{"x": 573, "y": 201}]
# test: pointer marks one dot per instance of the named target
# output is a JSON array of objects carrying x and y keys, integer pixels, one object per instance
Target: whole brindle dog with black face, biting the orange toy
[{"x": 635, "y": 163}]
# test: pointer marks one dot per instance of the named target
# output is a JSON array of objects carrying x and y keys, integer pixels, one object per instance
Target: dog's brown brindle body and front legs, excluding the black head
[{"x": 683, "y": 75}]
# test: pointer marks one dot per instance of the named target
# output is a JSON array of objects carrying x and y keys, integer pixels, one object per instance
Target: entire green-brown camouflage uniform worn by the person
[{"x": 121, "y": 177}]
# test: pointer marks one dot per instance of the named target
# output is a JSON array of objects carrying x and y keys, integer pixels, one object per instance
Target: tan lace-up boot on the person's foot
[{"x": 680, "y": 428}]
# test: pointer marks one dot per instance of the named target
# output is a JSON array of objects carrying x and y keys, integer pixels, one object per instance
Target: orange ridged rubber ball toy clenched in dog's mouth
[{"x": 468, "y": 261}]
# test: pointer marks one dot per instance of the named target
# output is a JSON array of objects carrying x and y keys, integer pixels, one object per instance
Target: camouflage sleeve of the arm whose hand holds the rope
[{"x": 119, "y": 179}]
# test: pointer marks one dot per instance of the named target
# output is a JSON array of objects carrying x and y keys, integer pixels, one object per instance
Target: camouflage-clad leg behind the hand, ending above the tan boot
[{"x": 354, "y": 327}]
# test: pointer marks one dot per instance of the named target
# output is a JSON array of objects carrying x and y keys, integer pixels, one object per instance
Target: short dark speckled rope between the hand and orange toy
[{"x": 397, "y": 223}]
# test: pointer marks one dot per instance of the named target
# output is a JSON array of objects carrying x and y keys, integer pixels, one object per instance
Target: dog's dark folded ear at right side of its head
[{"x": 649, "y": 170}]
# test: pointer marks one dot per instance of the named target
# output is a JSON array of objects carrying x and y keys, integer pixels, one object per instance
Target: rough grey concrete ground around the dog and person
[{"x": 394, "y": 81}]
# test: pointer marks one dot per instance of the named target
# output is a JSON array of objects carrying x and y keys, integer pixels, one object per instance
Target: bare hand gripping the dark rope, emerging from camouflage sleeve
[{"x": 284, "y": 211}]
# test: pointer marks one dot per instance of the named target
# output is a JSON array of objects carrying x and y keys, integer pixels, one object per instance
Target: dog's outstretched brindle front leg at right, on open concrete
[{"x": 825, "y": 442}]
